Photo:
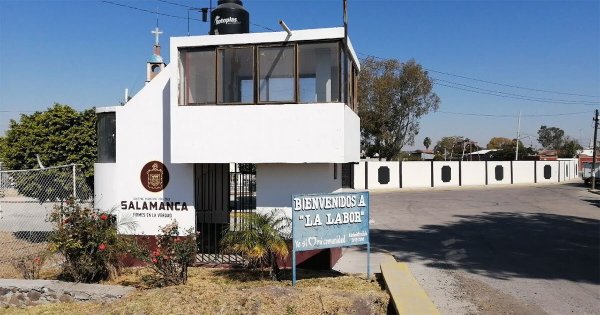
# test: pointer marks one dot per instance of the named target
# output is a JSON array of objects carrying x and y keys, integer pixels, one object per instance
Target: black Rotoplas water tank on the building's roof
[{"x": 229, "y": 17}]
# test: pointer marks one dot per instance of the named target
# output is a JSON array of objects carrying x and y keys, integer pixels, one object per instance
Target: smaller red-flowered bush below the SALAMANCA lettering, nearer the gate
[{"x": 173, "y": 254}]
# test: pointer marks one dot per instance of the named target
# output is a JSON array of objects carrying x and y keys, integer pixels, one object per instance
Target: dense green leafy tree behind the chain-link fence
[{"x": 60, "y": 135}]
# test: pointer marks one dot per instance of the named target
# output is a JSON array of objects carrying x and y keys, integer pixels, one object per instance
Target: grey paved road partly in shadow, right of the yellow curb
[{"x": 497, "y": 250}]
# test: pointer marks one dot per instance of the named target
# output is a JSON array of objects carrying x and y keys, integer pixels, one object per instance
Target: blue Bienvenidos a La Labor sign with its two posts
[{"x": 330, "y": 220}]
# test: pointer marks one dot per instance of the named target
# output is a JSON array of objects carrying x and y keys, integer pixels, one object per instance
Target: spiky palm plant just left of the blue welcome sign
[{"x": 260, "y": 239}]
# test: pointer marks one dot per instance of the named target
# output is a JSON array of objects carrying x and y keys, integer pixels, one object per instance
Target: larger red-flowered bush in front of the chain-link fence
[{"x": 87, "y": 241}]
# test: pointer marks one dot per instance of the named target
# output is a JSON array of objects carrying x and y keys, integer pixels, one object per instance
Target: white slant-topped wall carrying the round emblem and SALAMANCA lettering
[{"x": 142, "y": 127}]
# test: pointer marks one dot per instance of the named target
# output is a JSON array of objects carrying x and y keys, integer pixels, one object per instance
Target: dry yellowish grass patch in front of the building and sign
[{"x": 237, "y": 291}]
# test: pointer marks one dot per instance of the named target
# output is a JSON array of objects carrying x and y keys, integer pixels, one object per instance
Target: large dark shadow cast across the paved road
[{"x": 504, "y": 245}]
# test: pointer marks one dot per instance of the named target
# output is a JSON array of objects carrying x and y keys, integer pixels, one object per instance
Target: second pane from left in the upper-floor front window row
[{"x": 236, "y": 75}]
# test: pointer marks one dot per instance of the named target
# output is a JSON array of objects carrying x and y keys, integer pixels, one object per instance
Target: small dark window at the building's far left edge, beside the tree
[{"x": 106, "y": 132}]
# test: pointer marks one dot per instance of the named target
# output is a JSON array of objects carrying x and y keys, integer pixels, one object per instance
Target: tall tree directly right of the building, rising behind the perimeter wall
[{"x": 393, "y": 96}]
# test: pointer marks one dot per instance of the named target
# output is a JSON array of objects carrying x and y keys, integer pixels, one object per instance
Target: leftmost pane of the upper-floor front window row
[{"x": 199, "y": 76}]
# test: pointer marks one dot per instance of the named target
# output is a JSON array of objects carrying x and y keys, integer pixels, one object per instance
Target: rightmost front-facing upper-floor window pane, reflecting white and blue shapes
[{"x": 318, "y": 71}]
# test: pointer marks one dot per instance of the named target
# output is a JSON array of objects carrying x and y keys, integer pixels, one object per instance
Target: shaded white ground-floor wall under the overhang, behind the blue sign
[{"x": 276, "y": 183}]
